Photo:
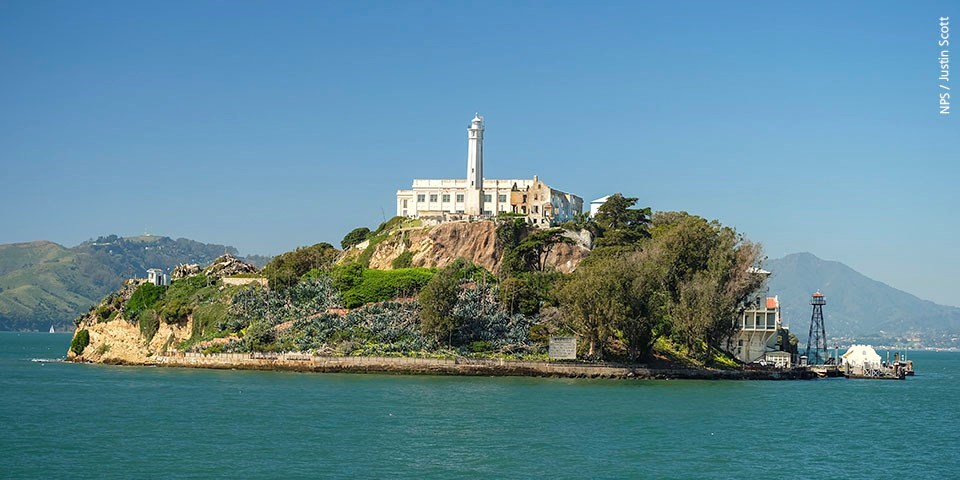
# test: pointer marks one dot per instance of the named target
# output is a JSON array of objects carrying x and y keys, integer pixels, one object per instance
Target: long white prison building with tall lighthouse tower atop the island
[{"x": 476, "y": 196}]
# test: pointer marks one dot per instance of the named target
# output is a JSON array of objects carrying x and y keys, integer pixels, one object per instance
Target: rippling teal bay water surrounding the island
[{"x": 60, "y": 419}]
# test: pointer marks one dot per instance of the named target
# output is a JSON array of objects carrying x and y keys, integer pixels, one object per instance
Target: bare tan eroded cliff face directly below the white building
[{"x": 440, "y": 245}]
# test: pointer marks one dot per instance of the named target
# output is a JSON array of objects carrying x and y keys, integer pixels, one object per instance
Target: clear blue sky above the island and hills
[{"x": 270, "y": 125}]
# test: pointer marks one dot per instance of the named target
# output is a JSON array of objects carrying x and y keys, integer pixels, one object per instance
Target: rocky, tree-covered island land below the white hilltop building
[{"x": 644, "y": 295}]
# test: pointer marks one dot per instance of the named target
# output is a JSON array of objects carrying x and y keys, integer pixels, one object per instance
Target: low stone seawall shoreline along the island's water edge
[{"x": 436, "y": 366}]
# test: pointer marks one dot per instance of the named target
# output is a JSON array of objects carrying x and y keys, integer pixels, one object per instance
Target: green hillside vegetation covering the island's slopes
[{"x": 656, "y": 286}]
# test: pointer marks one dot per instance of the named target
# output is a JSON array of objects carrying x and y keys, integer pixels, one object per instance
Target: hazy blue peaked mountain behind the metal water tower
[{"x": 856, "y": 305}]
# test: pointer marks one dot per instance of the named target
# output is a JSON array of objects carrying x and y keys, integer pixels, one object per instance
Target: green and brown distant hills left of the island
[{"x": 43, "y": 282}]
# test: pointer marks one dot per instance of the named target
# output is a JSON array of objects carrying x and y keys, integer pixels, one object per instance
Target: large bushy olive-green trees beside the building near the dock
[{"x": 690, "y": 280}]
